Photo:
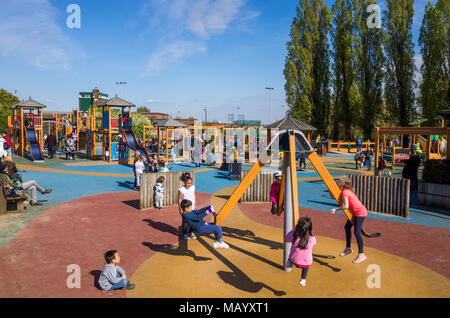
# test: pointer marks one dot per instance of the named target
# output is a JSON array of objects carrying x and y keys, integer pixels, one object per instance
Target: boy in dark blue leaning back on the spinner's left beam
[{"x": 195, "y": 220}]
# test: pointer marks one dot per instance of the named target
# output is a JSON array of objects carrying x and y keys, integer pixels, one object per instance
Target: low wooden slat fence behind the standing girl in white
[{"x": 172, "y": 183}]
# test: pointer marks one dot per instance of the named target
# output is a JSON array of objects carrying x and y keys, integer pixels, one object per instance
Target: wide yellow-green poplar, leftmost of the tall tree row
[{"x": 307, "y": 67}]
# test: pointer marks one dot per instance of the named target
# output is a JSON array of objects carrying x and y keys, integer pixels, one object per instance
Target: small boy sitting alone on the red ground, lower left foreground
[{"x": 113, "y": 276}]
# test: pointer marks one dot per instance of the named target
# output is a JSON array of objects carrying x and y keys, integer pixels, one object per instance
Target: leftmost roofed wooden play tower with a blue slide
[{"x": 26, "y": 129}]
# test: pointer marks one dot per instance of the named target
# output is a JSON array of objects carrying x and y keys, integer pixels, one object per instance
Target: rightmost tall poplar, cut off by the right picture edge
[{"x": 434, "y": 43}]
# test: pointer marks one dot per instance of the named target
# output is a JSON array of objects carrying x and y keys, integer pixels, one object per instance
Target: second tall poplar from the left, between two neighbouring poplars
[{"x": 346, "y": 94}]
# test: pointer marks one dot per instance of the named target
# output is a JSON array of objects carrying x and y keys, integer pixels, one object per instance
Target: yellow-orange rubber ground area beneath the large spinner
[{"x": 251, "y": 268}]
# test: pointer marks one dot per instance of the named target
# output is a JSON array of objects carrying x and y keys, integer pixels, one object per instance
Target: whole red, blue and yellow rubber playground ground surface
[{"x": 93, "y": 208}]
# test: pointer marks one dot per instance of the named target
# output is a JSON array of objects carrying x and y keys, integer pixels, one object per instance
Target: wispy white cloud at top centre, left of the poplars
[{"x": 184, "y": 26}]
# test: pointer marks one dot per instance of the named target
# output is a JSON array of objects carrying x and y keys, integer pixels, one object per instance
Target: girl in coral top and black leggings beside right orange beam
[{"x": 350, "y": 200}]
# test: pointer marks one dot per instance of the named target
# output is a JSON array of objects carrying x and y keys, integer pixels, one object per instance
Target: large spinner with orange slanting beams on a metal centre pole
[{"x": 289, "y": 143}]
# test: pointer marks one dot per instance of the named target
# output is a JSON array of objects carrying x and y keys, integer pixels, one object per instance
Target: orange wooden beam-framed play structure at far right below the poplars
[{"x": 413, "y": 133}]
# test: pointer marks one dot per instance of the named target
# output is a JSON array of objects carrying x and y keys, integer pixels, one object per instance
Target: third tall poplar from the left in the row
[{"x": 370, "y": 69}]
